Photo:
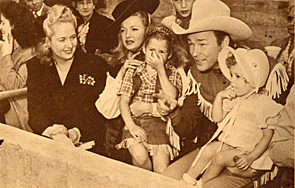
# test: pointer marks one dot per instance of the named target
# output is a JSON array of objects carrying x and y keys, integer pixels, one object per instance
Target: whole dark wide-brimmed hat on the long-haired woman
[{"x": 126, "y": 8}]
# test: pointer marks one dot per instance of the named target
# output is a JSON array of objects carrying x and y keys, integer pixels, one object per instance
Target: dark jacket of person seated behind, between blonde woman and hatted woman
[{"x": 98, "y": 37}]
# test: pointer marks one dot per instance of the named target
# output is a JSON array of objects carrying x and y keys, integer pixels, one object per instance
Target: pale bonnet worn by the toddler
[{"x": 254, "y": 64}]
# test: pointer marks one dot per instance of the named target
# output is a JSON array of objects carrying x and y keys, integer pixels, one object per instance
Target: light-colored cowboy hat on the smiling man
[{"x": 214, "y": 15}]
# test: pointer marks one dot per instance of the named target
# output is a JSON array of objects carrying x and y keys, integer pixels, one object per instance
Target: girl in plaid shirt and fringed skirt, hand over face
[{"x": 147, "y": 133}]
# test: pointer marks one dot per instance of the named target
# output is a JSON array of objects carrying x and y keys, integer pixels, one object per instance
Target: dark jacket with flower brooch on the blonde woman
[{"x": 71, "y": 104}]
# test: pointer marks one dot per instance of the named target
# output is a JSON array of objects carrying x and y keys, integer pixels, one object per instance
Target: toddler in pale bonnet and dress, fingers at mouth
[{"x": 243, "y": 136}]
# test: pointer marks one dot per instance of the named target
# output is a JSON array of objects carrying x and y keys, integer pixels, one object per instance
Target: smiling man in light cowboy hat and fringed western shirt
[{"x": 211, "y": 28}]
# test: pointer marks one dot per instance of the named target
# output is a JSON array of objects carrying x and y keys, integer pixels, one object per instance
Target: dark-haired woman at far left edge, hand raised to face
[{"x": 20, "y": 37}]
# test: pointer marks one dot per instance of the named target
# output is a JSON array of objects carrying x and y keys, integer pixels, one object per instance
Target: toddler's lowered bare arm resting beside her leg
[{"x": 245, "y": 161}]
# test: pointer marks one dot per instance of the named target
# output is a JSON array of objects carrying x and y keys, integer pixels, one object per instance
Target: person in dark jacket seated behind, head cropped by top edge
[{"x": 91, "y": 30}]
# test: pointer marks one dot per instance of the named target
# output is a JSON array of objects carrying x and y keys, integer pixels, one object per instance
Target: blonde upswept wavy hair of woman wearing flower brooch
[{"x": 56, "y": 14}]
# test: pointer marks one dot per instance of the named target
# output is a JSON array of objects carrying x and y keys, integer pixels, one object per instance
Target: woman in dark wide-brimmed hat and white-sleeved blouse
[{"x": 132, "y": 20}]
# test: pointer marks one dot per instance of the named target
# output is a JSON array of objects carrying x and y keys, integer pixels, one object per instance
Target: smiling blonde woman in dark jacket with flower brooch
[{"x": 63, "y": 84}]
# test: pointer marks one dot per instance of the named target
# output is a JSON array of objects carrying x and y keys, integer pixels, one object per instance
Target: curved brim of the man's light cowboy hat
[{"x": 236, "y": 29}]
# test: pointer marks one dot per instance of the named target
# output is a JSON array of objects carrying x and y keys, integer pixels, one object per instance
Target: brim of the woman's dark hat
[{"x": 149, "y": 6}]
